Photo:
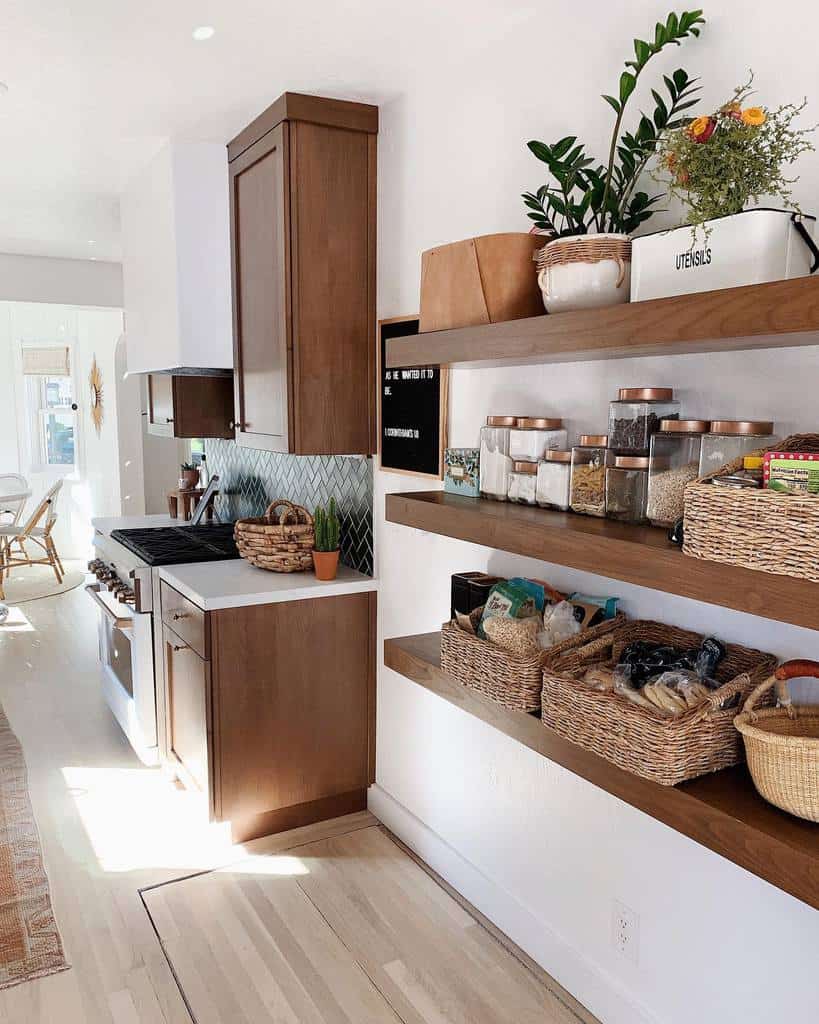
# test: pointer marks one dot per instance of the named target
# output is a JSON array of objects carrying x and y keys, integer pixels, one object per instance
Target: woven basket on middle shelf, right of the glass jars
[{"x": 758, "y": 530}]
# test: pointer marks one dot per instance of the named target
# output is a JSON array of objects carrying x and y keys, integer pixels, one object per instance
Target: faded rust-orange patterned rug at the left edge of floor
[{"x": 30, "y": 944}]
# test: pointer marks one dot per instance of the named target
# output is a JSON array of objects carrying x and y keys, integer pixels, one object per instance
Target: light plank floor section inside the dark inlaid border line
[{"x": 348, "y": 929}]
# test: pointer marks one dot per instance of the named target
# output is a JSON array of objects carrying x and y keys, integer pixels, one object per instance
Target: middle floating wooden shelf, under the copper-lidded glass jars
[{"x": 636, "y": 554}]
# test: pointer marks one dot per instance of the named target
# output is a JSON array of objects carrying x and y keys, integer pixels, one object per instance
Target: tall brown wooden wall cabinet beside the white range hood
[{"x": 304, "y": 252}]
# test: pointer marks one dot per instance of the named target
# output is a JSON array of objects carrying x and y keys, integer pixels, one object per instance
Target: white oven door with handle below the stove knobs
[{"x": 126, "y": 653}]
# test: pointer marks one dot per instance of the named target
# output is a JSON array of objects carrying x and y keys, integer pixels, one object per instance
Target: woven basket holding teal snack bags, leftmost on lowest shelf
[{"x": 508, "y": 679}]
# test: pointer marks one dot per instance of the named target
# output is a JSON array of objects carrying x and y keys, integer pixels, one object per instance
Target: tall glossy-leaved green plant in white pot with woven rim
[{"x": 591, "y": 208}]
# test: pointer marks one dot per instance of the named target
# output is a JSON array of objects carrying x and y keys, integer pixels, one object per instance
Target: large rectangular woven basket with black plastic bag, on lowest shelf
[{"x": 665, "y": 750}]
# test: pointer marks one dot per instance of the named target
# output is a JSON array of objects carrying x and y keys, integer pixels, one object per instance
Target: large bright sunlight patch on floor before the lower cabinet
[{"x": 139, "y": 818}]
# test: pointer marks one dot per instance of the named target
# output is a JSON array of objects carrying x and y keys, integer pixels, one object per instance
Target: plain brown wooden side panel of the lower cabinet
[{"x": 292, "y": 702}]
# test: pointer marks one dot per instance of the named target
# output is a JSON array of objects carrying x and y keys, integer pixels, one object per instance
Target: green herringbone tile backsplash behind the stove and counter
[{"x": 250, "y": 480}]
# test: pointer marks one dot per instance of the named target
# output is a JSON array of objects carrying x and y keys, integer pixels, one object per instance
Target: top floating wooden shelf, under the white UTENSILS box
[{"x": 775, "y": 316}]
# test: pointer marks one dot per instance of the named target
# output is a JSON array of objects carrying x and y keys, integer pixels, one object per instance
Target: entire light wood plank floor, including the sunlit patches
[{"x": 344, "y": 927}]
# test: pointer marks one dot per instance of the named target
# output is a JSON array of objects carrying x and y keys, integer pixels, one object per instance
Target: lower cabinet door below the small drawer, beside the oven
[{"x": 189, "y": 708}]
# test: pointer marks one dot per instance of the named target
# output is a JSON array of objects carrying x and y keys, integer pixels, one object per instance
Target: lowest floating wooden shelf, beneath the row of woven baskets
[{"x": 721, "y": 812}]
